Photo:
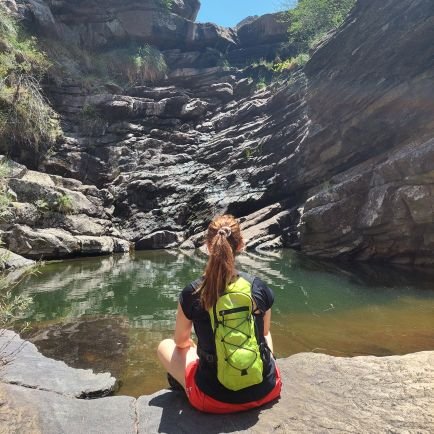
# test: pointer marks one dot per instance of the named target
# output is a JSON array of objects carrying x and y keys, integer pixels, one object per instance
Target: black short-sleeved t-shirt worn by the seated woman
[{"x": 206, "y": 375}]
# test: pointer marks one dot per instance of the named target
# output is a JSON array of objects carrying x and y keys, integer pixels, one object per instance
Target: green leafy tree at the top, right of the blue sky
[{"x": 310, "y": 20}]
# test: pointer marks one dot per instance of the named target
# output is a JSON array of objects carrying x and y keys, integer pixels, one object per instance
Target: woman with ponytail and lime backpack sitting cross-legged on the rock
[{"x": 232, "y": 368}]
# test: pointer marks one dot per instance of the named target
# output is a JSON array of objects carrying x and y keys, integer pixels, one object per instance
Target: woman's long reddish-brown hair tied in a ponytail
[{"x": 223, "y": 241}]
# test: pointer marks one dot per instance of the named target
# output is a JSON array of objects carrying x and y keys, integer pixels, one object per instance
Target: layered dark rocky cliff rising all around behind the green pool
[{"x": 335, "y": 159}]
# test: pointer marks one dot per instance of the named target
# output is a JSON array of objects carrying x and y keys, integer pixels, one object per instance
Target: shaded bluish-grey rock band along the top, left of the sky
[{"x": 101, "y": 23}]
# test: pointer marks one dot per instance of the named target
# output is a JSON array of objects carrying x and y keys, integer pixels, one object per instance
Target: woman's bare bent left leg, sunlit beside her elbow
[{"x": 175, "y": 359}]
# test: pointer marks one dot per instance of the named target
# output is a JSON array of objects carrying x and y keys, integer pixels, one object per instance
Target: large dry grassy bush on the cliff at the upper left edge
[{"x": 26, "y": 118}]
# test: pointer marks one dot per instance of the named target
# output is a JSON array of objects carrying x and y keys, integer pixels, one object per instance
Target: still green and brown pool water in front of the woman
[{"x": 109, "y": 313}]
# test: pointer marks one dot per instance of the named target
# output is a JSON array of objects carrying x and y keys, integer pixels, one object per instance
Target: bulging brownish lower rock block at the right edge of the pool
[{"x": 394, "y": 219}]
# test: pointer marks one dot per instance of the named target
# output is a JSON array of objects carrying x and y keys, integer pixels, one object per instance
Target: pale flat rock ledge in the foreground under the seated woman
[{"x": 321, "y": 394}]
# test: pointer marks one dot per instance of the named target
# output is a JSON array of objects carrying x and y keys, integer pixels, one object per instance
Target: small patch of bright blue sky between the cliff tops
[{"x": 228, "y": 13}]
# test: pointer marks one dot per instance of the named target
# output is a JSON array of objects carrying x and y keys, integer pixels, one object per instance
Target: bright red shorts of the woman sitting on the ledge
[{"x": 205, "y": 403}]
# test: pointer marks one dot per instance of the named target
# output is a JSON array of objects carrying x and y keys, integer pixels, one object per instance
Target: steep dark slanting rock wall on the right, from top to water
[{"x": 382, "y": 147}]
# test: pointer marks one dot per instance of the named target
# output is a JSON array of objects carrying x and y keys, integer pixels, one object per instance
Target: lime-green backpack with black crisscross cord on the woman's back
[{"x": 239, "y": 361}]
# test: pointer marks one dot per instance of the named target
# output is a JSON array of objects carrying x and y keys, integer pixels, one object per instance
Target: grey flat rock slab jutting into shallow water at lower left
[{"x": 26, "y": 367}]
